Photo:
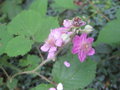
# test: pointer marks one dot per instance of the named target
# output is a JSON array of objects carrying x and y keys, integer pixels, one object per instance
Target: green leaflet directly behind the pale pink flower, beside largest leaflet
[{"x": 46, "y": 25}]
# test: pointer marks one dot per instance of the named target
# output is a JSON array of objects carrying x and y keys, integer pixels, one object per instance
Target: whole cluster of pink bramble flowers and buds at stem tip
[{"x": 60, "y": 36}]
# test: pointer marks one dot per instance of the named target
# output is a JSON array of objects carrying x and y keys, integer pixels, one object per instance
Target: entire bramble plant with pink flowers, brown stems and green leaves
[{"x": 35, "y": 39}]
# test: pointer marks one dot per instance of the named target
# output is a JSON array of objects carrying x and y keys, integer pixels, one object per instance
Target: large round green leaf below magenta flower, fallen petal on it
[{"x": 78, "y": 75}]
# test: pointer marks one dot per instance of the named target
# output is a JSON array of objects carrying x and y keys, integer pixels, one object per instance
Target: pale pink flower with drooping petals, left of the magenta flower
[{"x": 54, "y": 41}]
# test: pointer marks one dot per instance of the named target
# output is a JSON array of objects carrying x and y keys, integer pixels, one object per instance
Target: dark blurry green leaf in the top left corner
[{"x": 11, "y": 8}]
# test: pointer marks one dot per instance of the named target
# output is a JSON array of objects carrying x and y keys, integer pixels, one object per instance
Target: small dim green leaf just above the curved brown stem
[{"x": 31, "y": 62}]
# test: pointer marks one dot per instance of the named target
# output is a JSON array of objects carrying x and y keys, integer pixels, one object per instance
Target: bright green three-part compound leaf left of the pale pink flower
[{"x": 28, "y": 24}]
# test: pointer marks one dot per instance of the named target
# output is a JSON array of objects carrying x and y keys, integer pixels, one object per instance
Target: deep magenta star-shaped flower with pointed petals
[{"x": 83, "y": 46}]
